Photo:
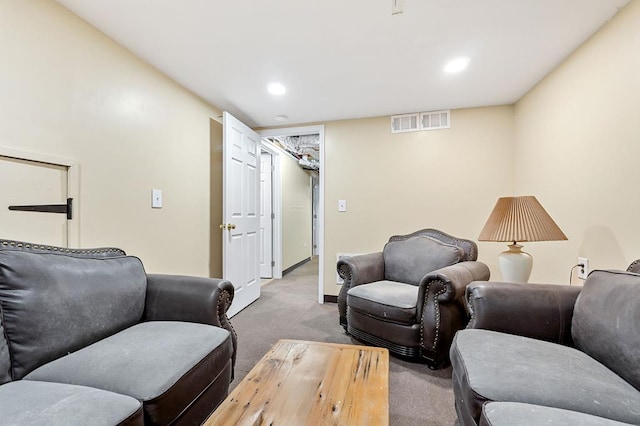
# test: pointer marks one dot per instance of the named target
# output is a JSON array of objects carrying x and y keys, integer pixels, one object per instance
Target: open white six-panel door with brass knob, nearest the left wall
[{"x": 241, "y": 210}]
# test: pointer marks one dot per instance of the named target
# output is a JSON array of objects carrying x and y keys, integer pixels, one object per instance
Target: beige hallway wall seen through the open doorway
[{"x": 296, "y": 212}]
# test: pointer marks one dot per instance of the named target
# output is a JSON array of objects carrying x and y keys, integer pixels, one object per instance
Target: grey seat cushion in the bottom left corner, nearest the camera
[{"x": 26, "y": 402}]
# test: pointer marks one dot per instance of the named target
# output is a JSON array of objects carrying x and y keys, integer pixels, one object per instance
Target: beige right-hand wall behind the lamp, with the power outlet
[{"x": 577, "y": 149}]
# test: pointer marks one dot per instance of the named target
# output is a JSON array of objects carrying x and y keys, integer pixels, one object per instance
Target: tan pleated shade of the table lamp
[{"x": 520, "y": 219}]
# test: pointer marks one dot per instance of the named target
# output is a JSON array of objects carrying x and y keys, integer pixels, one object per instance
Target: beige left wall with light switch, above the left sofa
[{"x": 69, "y": 91}]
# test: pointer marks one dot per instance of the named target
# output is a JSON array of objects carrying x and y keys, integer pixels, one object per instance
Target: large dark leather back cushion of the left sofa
[{"x": 53, "y": 304}]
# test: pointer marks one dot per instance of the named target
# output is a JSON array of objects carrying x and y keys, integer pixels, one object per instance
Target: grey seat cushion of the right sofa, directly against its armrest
[{"x": 492, "y": 366}]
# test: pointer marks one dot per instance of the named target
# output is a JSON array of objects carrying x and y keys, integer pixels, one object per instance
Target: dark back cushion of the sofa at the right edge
[{"x": 606, "y": 322}]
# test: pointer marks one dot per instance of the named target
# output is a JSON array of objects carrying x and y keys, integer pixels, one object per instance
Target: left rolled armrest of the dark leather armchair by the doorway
[{"x": 354, "y": 271}]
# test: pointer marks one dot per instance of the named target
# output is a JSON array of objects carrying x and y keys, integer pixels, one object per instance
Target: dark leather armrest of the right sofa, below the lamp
[{"x": 540, "y": 311}]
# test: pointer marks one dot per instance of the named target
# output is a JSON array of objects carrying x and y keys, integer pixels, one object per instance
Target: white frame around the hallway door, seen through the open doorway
[{"x": 276, "y": 206}]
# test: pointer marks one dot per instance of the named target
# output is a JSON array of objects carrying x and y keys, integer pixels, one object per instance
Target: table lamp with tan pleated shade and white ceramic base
[{"x": 519, "y": 219}]
